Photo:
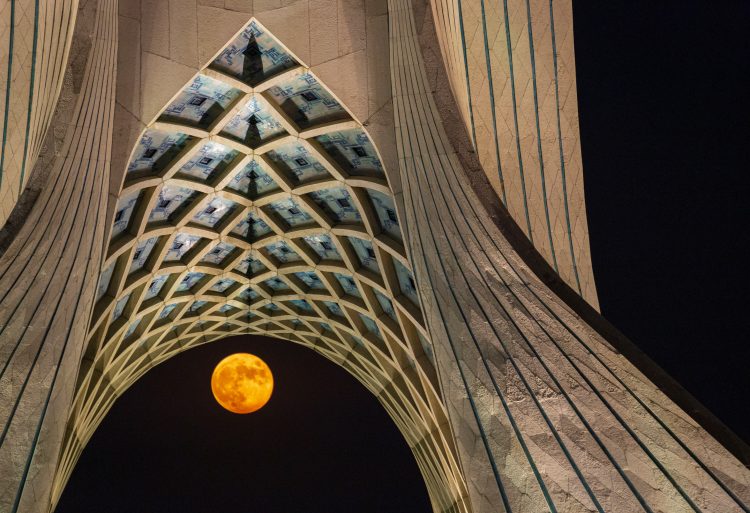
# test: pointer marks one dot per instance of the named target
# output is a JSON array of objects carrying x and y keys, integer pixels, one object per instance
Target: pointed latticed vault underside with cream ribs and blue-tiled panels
[{"x": 255, "y": 203}]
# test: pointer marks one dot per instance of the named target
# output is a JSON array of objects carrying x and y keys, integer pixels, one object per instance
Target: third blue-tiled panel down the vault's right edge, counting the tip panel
[{"x": 353, "y": 151}]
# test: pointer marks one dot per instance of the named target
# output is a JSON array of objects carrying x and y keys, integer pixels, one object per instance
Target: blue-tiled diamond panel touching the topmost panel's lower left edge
[{"x": 201, "y": 102}]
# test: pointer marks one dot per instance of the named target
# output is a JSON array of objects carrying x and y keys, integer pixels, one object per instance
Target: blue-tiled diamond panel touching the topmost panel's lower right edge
[{"x": 306, "y": 101}]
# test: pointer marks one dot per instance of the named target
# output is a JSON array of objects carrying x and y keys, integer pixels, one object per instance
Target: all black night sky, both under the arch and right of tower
[{"x": 664, "y": 126}]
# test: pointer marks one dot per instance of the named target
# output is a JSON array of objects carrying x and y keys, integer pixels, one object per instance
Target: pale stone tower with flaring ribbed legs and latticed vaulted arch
[{"x": 395, "y": 184}]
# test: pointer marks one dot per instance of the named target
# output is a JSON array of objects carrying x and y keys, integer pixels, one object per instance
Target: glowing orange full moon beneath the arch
[{"x": 242, "y": 383}]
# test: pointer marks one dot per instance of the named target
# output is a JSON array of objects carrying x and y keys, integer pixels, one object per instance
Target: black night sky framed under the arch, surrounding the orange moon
[{"x": 323, "y": 443}]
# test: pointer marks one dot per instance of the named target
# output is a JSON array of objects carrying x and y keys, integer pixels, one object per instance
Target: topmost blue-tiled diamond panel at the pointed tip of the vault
[{"x": 253, "y": 56}]
